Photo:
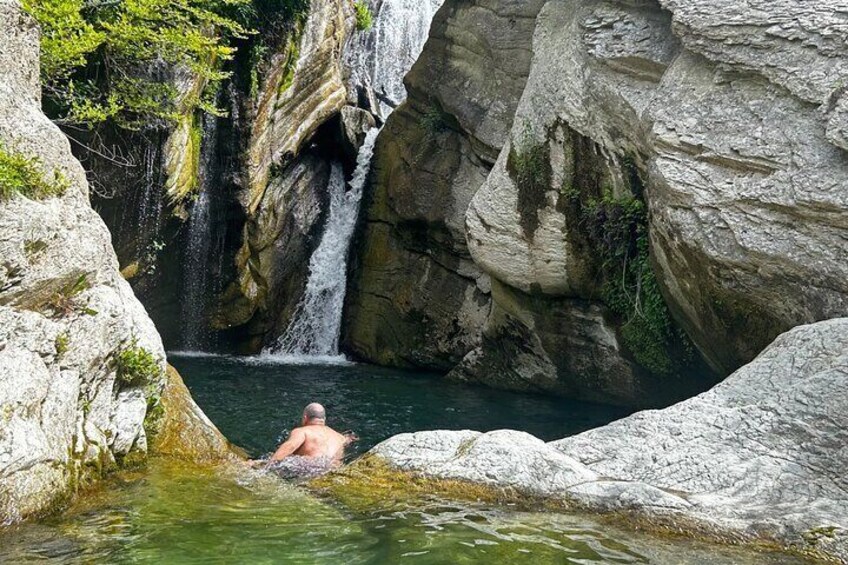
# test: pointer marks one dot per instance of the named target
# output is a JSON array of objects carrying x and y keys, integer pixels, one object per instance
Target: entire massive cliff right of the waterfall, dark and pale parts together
[{"x": 673, "y": 172}]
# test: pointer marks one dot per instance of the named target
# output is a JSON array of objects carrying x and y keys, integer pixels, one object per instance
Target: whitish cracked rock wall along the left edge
[{"x": 81, "y": 363}]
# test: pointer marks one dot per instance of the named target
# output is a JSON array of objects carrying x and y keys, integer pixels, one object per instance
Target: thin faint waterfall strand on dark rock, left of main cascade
[{"x": 199, "y": 249}]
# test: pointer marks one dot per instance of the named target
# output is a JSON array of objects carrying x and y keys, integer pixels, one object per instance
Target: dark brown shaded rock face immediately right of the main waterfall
[{"x": 416, "y": 298}]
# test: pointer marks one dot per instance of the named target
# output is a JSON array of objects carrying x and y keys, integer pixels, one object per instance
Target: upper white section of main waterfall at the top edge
[{"x": 379, "y": 58}]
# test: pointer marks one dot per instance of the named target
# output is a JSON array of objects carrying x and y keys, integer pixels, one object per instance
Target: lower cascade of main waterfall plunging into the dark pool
[{"x": 316, "y": 323}]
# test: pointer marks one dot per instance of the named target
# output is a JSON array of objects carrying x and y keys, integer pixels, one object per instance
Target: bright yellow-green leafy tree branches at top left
[{"x": 102, "y": 59}]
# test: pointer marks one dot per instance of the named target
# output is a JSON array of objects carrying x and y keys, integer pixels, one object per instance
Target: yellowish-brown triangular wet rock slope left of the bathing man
[{"x": 184, "y": 431}]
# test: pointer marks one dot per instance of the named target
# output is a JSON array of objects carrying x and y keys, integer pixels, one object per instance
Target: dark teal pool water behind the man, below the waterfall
[{"x": 255, "y": 405}]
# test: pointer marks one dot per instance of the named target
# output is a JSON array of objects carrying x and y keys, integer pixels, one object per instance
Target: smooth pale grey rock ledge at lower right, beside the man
[{"x": 756, "y": 458}]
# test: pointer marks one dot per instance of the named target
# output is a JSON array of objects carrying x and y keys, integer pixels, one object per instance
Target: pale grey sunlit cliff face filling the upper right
[{"x": 732, "y": 118}]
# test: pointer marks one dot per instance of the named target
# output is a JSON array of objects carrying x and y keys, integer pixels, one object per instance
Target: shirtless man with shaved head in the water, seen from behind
[{"x": 314, "y": 438}]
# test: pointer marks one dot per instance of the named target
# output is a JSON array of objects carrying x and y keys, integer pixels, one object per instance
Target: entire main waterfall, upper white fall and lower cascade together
[{"x": 378, "y": 60}]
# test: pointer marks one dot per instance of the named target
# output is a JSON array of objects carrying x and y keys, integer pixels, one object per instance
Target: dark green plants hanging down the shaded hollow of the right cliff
[{"x": 618, "y": 228}]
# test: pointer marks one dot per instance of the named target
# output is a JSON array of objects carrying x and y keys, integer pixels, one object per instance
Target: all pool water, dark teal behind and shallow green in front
[{"x": 173, "y": 513}]
